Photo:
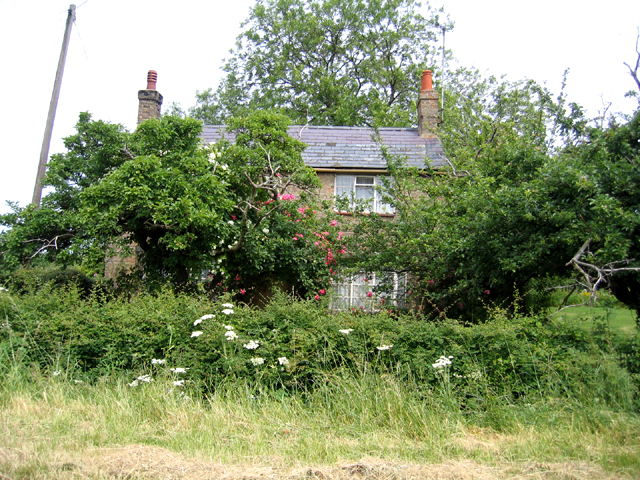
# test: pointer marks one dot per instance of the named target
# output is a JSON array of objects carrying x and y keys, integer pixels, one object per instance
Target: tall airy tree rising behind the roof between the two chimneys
[{"x": 326, "y": 62}]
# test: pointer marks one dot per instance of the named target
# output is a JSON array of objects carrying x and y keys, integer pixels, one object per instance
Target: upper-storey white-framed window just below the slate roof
[{"x": 364, "y": 189}]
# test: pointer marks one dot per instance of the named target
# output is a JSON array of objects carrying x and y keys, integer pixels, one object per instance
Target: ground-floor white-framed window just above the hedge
[{"x": 370, "y": 292}]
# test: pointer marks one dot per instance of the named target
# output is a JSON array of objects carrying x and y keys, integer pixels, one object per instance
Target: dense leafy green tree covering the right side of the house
[{"x": 527, "y": 185}]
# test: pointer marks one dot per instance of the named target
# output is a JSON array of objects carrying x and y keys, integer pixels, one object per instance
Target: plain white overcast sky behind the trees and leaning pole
[{"x": 115, "y": 42}]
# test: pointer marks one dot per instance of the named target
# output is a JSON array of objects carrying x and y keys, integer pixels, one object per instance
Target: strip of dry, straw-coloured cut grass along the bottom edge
[{"x": 149, "y": 462}]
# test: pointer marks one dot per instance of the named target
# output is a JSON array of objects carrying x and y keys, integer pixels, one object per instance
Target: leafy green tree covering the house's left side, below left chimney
[{"x": 189, "y": 207}]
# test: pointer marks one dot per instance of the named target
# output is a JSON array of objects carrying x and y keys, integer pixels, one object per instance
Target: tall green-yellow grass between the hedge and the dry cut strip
[{"x": 47, "y": 421}]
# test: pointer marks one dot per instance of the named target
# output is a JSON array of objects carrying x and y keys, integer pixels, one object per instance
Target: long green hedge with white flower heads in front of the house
[{"x": 298, "y": 345}]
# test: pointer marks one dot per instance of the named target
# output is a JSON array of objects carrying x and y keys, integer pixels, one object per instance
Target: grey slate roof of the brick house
[{"x": 353, "y": 147}]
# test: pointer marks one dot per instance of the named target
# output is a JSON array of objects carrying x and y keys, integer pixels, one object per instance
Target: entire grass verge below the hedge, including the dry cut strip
[{"x": 50, "y": 429}]
